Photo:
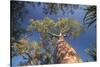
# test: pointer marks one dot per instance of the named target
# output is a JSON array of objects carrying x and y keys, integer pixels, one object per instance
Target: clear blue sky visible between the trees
[{"x": 80, "y": 43}]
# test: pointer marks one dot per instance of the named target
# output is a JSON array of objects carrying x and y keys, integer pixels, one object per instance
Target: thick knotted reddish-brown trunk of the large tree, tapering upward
[{"x": 64, "y": 53}]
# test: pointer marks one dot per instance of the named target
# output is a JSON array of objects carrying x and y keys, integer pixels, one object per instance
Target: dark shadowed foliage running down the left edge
[{"x": 16, "y": 19}]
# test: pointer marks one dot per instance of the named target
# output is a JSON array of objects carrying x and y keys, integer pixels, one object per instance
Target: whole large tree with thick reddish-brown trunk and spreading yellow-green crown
[{"x": 55, "y": 32}]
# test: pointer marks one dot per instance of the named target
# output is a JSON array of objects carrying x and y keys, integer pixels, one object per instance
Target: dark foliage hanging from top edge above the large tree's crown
[{"x": 53, "y": 8}]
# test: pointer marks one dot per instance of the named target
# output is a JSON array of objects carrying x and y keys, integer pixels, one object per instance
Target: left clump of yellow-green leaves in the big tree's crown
[{"x": 42, "y": 26}]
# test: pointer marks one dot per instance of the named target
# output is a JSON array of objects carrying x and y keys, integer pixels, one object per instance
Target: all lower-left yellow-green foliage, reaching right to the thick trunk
[{"x": 31, "y": 51}]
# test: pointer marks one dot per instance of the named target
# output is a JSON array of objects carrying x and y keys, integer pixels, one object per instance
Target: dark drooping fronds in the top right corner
[{"x": 90, "y": 16}]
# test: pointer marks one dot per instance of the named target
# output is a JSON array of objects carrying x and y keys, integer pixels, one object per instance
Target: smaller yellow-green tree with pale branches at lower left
[{"x": 30, "y": 51}]
